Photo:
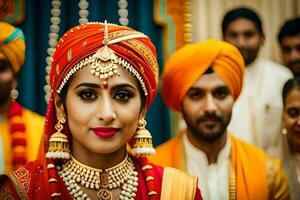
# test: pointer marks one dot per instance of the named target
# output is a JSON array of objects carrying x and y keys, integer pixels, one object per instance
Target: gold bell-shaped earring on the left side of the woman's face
[{"x": 58, "y": 142}]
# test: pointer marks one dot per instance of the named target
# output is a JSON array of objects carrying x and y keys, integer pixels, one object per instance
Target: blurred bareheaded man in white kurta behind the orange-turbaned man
[{"x": 257, "y": 113}]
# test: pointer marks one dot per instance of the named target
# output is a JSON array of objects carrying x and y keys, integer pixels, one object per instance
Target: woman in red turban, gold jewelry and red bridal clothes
[{"x": 103, "y": 79}]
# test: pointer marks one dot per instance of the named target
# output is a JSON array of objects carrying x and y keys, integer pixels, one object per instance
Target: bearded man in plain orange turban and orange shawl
[{"x": 202, "y": 81}]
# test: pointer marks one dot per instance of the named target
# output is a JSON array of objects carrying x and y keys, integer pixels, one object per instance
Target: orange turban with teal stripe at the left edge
[{"x": 12, "y": 45}]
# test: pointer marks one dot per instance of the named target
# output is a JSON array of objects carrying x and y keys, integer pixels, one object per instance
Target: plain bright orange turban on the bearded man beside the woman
[{"x": 186, "y": 66}]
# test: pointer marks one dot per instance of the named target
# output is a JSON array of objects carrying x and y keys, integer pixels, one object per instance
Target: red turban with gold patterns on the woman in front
[{"x": 131, "y": 46}]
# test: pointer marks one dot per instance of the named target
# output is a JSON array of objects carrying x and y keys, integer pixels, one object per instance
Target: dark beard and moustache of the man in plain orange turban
[{"x": 208, "y": 135}]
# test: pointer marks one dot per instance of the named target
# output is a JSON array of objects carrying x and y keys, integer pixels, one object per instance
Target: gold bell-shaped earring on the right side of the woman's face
[{"x": 142, "y": 145}]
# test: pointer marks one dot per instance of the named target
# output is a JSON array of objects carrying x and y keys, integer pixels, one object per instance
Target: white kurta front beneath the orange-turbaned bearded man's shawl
[{"x": 213, "y": 179}]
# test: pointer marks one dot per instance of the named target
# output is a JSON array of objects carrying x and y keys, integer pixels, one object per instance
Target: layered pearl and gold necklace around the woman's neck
[{"x": 74, "y": 173}]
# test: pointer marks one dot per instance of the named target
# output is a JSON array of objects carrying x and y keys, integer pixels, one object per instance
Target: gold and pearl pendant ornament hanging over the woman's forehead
[{"x": 104, "y": 61}]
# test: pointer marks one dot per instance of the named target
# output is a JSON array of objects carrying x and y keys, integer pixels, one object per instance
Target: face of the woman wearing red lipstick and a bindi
[{"x": 102, "y": 118}]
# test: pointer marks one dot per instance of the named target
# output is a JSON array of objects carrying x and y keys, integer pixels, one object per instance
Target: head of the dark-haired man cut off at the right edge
[{"x": 289, "y": 40}]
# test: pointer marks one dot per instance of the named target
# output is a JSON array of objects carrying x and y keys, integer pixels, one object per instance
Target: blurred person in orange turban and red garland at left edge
[{"x": 20, "y": 129}]
